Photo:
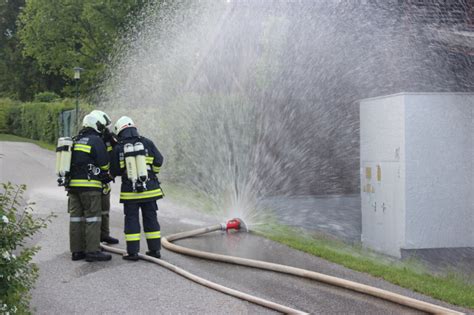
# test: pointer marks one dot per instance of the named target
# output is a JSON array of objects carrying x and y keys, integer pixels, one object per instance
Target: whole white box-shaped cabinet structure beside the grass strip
[{"x": 423, "y": 146}]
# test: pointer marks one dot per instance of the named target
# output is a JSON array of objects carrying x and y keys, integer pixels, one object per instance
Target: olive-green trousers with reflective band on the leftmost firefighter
[{"x": 85, "y": 219}]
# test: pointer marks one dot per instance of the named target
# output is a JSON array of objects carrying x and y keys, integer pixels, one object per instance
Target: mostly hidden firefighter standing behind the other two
[{"x": 110, "y": 142}]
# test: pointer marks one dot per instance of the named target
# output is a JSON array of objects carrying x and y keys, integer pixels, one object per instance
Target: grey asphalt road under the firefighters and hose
[{"x": 122, "y": 287}]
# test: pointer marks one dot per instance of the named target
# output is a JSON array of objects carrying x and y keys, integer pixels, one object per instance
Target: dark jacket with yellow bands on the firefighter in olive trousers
[{"x": 90, "y": 162}]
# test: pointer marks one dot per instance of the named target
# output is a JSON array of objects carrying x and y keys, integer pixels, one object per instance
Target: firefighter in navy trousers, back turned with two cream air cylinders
[{"x": 137, "y": 160}]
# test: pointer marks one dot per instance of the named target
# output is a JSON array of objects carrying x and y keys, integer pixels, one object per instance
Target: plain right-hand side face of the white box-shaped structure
[{"x": 439, "y": 170}]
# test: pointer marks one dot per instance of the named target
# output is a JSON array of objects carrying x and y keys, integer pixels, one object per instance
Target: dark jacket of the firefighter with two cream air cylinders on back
[{"x": 154, "y": 160}]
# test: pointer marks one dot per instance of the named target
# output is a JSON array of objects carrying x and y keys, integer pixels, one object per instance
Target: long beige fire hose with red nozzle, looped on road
[{"x": 237, "y": 224}]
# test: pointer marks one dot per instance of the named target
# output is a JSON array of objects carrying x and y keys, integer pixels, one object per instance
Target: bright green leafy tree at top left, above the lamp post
[{"x": 63, "y": 34}]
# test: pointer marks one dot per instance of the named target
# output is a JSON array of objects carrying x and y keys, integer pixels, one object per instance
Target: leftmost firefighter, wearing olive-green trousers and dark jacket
[{"x": 89, "y": 170}]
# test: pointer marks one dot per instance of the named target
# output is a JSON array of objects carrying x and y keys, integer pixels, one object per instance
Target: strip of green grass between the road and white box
[{"x": 412, "y": 275}]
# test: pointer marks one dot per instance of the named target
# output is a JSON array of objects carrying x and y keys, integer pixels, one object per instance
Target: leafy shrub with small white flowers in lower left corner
[{"x": 17, "y": 273}]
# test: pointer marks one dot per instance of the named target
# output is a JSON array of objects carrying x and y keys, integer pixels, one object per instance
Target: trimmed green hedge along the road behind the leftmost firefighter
[{"x": 35, "y": 120}]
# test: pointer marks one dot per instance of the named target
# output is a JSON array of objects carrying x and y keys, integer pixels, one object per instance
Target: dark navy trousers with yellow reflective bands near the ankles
[{"x": 151, "y": 226}]
